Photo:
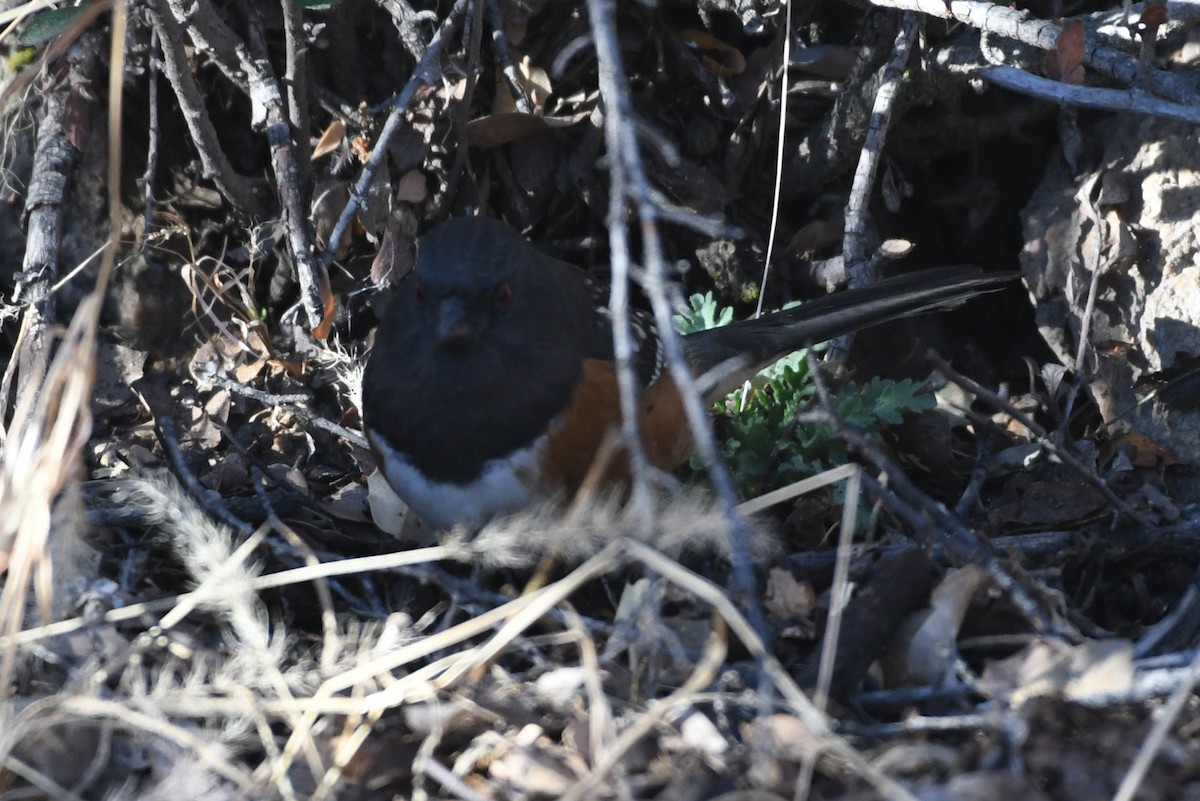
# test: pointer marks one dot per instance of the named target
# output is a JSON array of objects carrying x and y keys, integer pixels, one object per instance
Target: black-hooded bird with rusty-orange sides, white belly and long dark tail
[{"x": 491, "y": 386}]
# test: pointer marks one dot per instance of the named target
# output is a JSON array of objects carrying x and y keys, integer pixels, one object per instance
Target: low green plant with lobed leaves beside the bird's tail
[{"x": 761, "y": 442}]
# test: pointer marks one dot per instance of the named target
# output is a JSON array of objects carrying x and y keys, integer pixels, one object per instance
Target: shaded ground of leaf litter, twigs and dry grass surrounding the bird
[{"x": 208, "y": 595}]
